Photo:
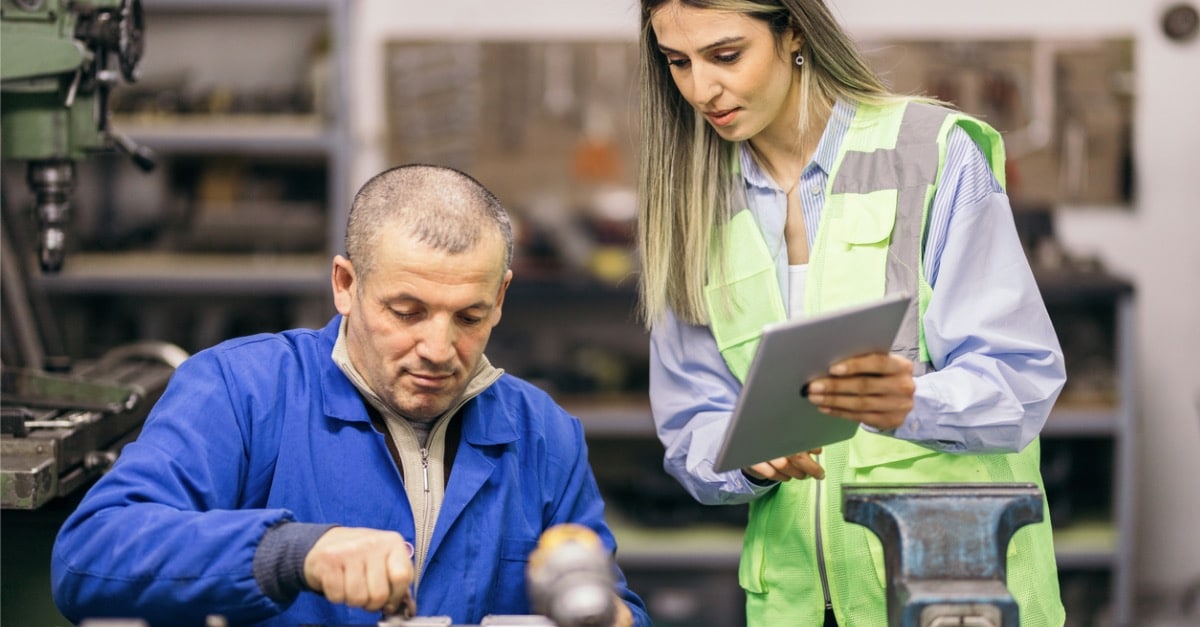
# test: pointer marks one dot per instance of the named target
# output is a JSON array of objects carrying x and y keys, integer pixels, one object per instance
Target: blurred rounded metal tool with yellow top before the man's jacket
[{"x": 571, "y": 578}]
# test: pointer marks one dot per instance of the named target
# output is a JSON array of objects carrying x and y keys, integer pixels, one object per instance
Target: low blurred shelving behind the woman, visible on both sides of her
[{"x": 682, "y": 558}]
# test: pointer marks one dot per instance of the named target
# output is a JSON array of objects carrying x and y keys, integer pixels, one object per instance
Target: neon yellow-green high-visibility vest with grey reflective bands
[{"x": 868, "y": 244}]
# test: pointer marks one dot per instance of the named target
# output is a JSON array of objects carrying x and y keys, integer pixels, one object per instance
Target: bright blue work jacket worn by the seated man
[{"x": 267, "y": 429}]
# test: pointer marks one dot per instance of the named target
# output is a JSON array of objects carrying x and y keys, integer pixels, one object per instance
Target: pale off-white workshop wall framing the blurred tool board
[{"x": 1150, "y": 242}]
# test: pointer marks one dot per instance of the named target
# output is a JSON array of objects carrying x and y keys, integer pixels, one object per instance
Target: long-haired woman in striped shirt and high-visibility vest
[{"x": 782, "y": 178}]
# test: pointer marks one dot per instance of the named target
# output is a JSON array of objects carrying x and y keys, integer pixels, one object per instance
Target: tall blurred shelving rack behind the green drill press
[{"x": 243, "y": 104}]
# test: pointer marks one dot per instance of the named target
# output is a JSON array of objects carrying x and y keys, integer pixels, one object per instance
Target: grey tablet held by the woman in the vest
[{"x": 772, "y": 420}]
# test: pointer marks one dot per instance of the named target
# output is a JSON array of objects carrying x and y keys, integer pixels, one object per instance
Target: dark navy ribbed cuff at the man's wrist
[{"x": 279, "y": 559}]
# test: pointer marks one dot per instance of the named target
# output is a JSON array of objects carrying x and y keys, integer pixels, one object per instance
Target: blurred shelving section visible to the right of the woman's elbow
[{"x": 1089, "y": 446}]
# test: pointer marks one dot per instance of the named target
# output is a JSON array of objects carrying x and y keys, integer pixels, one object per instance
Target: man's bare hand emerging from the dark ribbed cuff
[{"x": 363, "y": 569}]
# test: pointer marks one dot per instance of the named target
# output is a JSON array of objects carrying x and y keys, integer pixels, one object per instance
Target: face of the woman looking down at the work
[{"x": 731, "y": 69}]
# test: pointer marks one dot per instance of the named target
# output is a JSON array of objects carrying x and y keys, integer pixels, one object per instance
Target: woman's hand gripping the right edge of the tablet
[{"x": 875, "y": 390}]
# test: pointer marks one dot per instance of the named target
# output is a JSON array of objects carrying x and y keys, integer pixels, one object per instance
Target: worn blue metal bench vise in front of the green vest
[{"x": 945, "y": 548}]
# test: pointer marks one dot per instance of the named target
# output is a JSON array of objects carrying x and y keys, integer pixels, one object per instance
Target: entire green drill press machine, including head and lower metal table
[{"x": 63, "y": 425}]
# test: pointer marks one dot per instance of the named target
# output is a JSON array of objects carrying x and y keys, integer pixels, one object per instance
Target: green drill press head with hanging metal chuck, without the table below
[{"x": 61, "y": 61}]
